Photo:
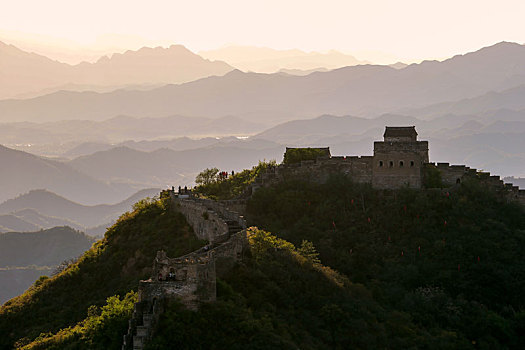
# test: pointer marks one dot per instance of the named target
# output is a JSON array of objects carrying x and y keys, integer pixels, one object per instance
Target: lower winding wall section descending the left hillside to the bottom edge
[{"x": 190, "y": 278}]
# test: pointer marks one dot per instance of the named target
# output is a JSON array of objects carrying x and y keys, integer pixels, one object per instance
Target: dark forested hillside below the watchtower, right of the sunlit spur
[{"x": 451, "y": 261}]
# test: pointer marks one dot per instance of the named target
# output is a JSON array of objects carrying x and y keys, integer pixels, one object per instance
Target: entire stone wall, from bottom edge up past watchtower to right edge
[{"x": 398, "y": 161}]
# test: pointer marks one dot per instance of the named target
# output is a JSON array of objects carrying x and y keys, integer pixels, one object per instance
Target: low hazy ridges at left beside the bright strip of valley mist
[{"x": 42, "y": 138}]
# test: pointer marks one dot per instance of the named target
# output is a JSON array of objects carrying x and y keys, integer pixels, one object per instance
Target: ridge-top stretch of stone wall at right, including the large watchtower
[{"x": 400, "y": 160}]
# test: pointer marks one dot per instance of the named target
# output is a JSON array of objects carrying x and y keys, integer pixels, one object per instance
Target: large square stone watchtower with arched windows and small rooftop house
[{"x": 398, "y": 160}]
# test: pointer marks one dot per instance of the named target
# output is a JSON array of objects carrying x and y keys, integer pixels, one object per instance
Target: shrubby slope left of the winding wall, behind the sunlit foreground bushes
[{"x": 114, "y": 265}]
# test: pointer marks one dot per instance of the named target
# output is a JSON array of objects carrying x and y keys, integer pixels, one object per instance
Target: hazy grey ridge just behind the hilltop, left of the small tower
[{"x": 165, "y": 166}]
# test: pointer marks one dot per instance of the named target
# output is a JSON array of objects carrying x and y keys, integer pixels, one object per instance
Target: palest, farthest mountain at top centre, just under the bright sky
[{"x": 267, "y": 60}]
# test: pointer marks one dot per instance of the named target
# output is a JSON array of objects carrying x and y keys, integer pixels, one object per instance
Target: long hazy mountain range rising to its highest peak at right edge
[{"x": 359, "y": 90}]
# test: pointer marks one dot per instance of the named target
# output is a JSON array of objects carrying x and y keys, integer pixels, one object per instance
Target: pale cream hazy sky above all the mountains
[{"x": 408, "y": 29}]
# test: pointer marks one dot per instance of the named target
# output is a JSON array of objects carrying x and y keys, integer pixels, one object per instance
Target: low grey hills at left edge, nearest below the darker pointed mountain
[{"x": 42, "y": 209}]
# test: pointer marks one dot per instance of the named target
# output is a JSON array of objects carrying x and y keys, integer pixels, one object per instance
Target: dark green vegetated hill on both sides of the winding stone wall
[{"x": 346, "y": 266}]
